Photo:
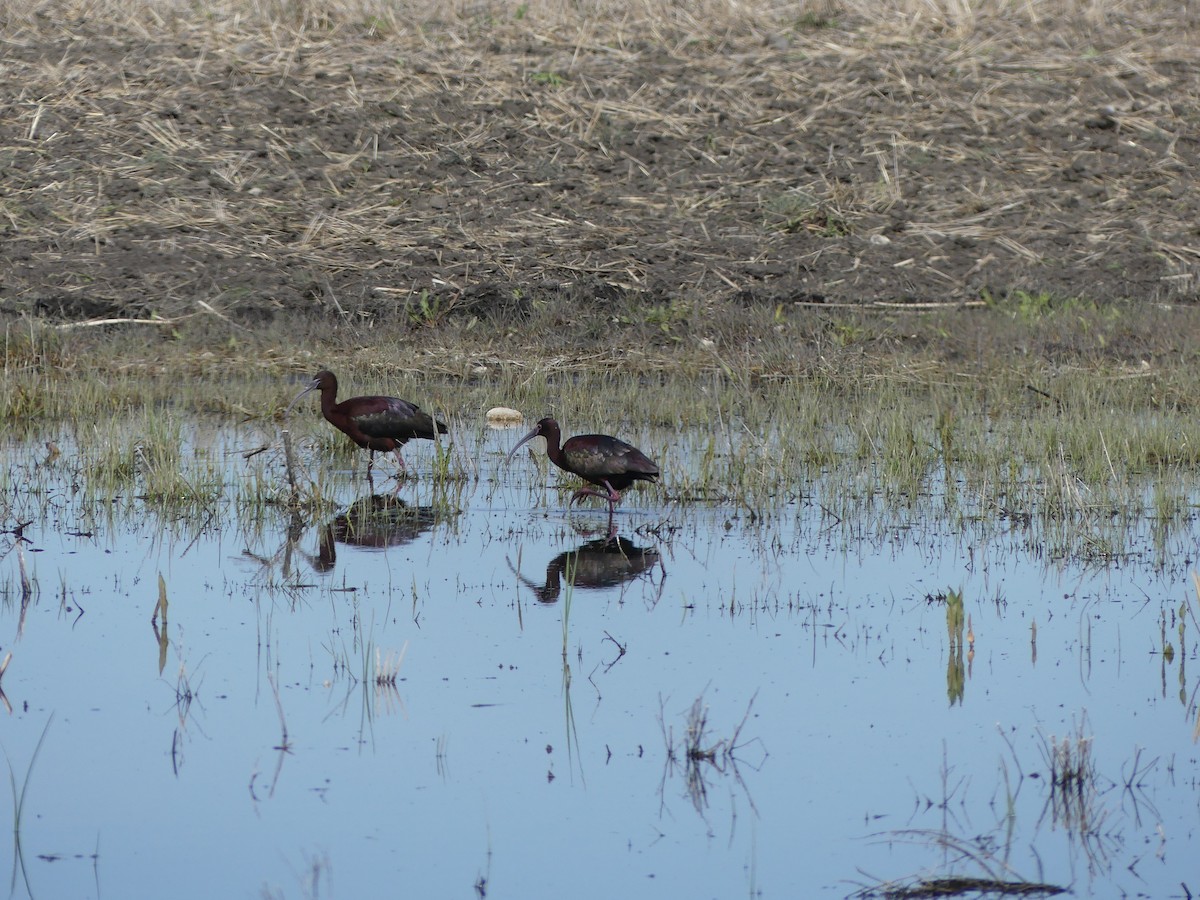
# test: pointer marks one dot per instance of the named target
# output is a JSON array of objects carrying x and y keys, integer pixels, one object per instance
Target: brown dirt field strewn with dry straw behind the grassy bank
[{"x": 245, "y": 169}]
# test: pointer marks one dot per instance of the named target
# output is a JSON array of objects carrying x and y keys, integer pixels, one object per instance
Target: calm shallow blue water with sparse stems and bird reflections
[{"x": 245, "y": 748}]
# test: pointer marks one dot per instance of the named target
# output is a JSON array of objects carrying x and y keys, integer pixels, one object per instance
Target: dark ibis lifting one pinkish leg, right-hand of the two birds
[{"x": 603, "y": 460}]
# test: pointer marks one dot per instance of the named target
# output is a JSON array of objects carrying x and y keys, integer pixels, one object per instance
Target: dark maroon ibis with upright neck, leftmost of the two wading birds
[{"x": 380, "y": 424}]
